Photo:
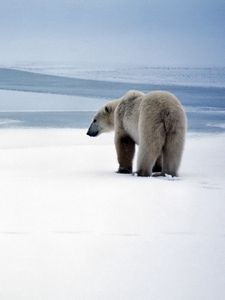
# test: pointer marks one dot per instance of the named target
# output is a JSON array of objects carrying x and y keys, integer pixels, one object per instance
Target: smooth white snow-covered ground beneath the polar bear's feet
[{"x": 71, "y": 228}]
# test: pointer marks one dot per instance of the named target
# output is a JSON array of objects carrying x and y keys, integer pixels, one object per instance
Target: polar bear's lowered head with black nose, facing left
[{"x": 103, "y": 121}]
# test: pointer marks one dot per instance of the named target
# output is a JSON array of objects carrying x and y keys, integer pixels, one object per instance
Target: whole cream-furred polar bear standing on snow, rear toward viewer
[{"x": 155, "y": 121}]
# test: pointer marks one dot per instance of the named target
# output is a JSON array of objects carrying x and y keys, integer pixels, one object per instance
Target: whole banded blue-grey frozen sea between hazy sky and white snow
[{"x": 37, "y": 96}]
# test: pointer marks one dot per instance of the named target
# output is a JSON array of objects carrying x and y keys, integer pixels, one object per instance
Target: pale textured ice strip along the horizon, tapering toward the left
[{"x": 210, "y": 77}]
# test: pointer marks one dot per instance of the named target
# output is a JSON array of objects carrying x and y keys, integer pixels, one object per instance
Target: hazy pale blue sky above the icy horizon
[{"x": 146, "y": 32}]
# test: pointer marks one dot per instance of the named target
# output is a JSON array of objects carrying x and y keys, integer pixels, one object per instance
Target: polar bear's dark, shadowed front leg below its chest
[{"x": 125, "y": 148}]
